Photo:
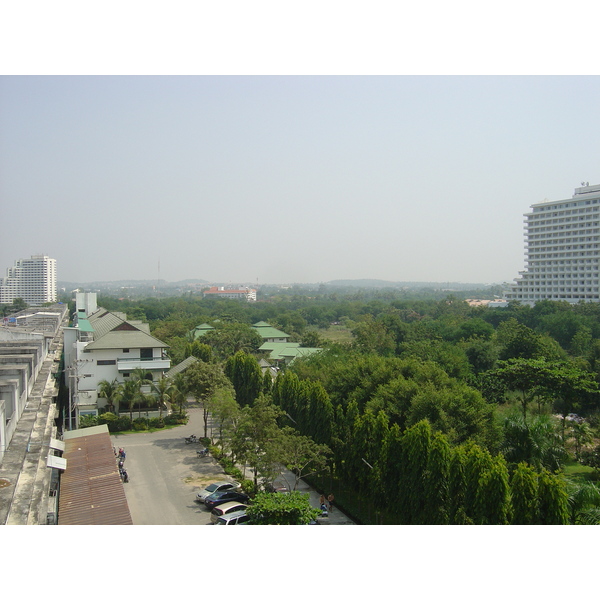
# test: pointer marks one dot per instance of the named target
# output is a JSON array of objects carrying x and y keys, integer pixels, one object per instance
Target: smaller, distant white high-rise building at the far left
[{"x": 33, "y": 279}]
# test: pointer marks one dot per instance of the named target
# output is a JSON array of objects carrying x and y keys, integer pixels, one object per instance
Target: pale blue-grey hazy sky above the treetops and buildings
[{"x": 275, "y": 179}]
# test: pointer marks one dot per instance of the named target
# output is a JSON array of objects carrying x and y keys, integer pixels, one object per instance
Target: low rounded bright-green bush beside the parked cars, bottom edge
[{"x": 282, "y": 509}]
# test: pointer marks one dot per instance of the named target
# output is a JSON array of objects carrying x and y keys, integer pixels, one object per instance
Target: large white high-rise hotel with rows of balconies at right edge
[{"x": 562, "y": 250}]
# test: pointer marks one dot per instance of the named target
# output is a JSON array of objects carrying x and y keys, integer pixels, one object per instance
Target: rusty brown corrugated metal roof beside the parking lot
[{"x": 91, "y": 491}]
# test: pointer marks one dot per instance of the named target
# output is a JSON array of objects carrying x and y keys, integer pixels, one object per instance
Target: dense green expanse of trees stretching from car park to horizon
[{"x": 431, "y": 411}]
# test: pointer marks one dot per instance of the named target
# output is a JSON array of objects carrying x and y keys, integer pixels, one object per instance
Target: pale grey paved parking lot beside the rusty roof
[{"x": 165, "y": 474}]
